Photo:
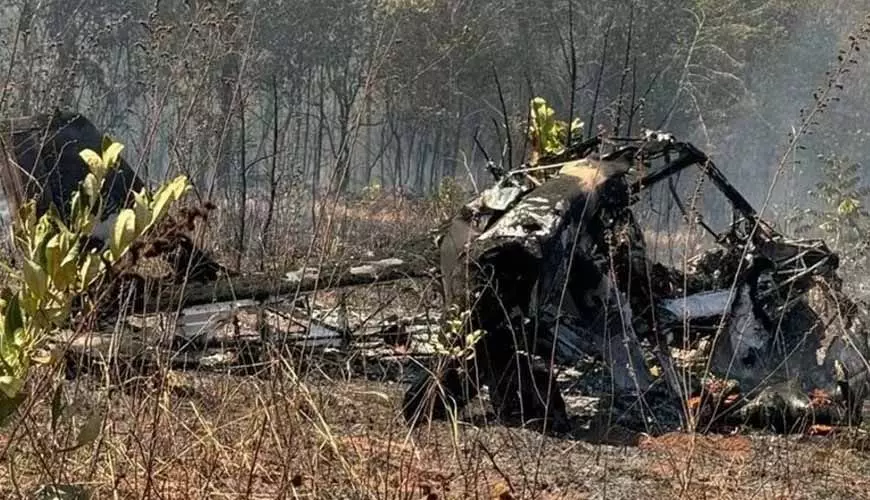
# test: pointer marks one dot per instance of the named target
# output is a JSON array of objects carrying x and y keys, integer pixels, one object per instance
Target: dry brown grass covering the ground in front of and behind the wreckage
[{"x": 331, "y": 433}]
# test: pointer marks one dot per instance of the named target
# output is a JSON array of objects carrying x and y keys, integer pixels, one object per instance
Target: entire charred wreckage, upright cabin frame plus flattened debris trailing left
[{"x": 543, "y": 272}]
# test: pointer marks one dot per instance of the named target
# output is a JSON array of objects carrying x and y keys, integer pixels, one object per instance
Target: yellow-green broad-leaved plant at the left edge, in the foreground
[{"x": 55, "y": 269}]
